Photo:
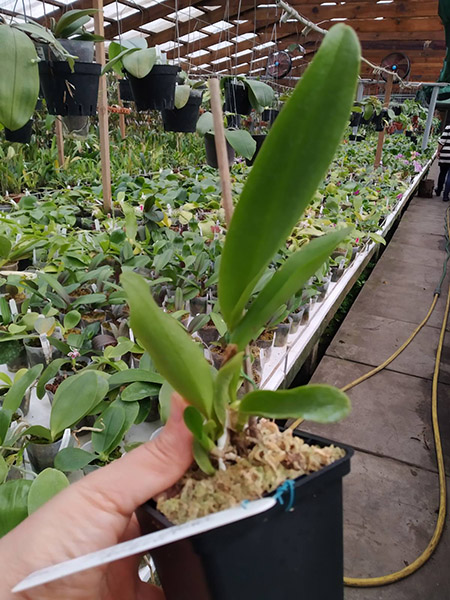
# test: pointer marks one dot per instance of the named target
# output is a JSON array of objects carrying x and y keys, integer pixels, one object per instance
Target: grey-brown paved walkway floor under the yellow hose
[{"x": 391, "y": 495}]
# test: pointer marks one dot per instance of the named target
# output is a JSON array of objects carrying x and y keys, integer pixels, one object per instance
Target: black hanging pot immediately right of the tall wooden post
[{"x": 157, "y": 90}]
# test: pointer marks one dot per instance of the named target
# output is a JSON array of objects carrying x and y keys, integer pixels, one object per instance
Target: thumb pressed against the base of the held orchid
[{"x": 146, "y": 471}]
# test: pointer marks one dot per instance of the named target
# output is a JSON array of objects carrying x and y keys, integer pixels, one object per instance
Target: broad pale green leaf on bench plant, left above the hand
[{"x": 75, "y": 398}]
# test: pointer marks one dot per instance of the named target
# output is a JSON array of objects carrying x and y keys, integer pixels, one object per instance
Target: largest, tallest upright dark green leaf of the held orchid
[{"x": 280, "y": 186}]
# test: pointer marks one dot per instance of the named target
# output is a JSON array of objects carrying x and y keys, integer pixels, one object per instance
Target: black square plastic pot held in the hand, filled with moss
[{"x": 277, "y": 554}]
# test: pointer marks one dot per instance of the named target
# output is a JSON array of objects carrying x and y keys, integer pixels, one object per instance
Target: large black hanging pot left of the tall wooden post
[{"x": 68, "y": 93}]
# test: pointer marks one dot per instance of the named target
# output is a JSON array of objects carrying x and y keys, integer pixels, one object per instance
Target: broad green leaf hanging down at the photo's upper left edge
[{"x": 19, "y": 83}]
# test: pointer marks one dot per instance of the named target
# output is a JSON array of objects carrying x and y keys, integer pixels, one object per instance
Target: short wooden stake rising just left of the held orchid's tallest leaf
[{"x": 221, "y": 148}]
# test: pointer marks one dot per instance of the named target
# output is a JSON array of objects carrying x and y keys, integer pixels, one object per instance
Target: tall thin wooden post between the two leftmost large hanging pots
[{"x": 103, "y": 111}]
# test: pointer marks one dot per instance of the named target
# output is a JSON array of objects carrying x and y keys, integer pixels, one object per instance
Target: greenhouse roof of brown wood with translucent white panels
[{"x": 233, "y": 37}]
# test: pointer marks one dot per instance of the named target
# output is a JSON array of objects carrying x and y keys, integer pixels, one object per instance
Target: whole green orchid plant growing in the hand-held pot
[{"x": 256, "y": 232}]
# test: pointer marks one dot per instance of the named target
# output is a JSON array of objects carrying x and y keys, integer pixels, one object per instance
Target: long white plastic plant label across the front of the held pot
[{"x": 145, "y": 543}]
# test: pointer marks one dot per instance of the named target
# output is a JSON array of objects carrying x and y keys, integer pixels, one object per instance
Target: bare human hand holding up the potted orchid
[{"x": 95, "y": 513}]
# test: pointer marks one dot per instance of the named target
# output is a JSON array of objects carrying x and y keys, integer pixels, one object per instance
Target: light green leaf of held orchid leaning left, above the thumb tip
[{"x": 176, "y": 356}]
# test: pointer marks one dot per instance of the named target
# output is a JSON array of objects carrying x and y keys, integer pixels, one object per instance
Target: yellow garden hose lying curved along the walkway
[{"x": 437, "y": 534}]
